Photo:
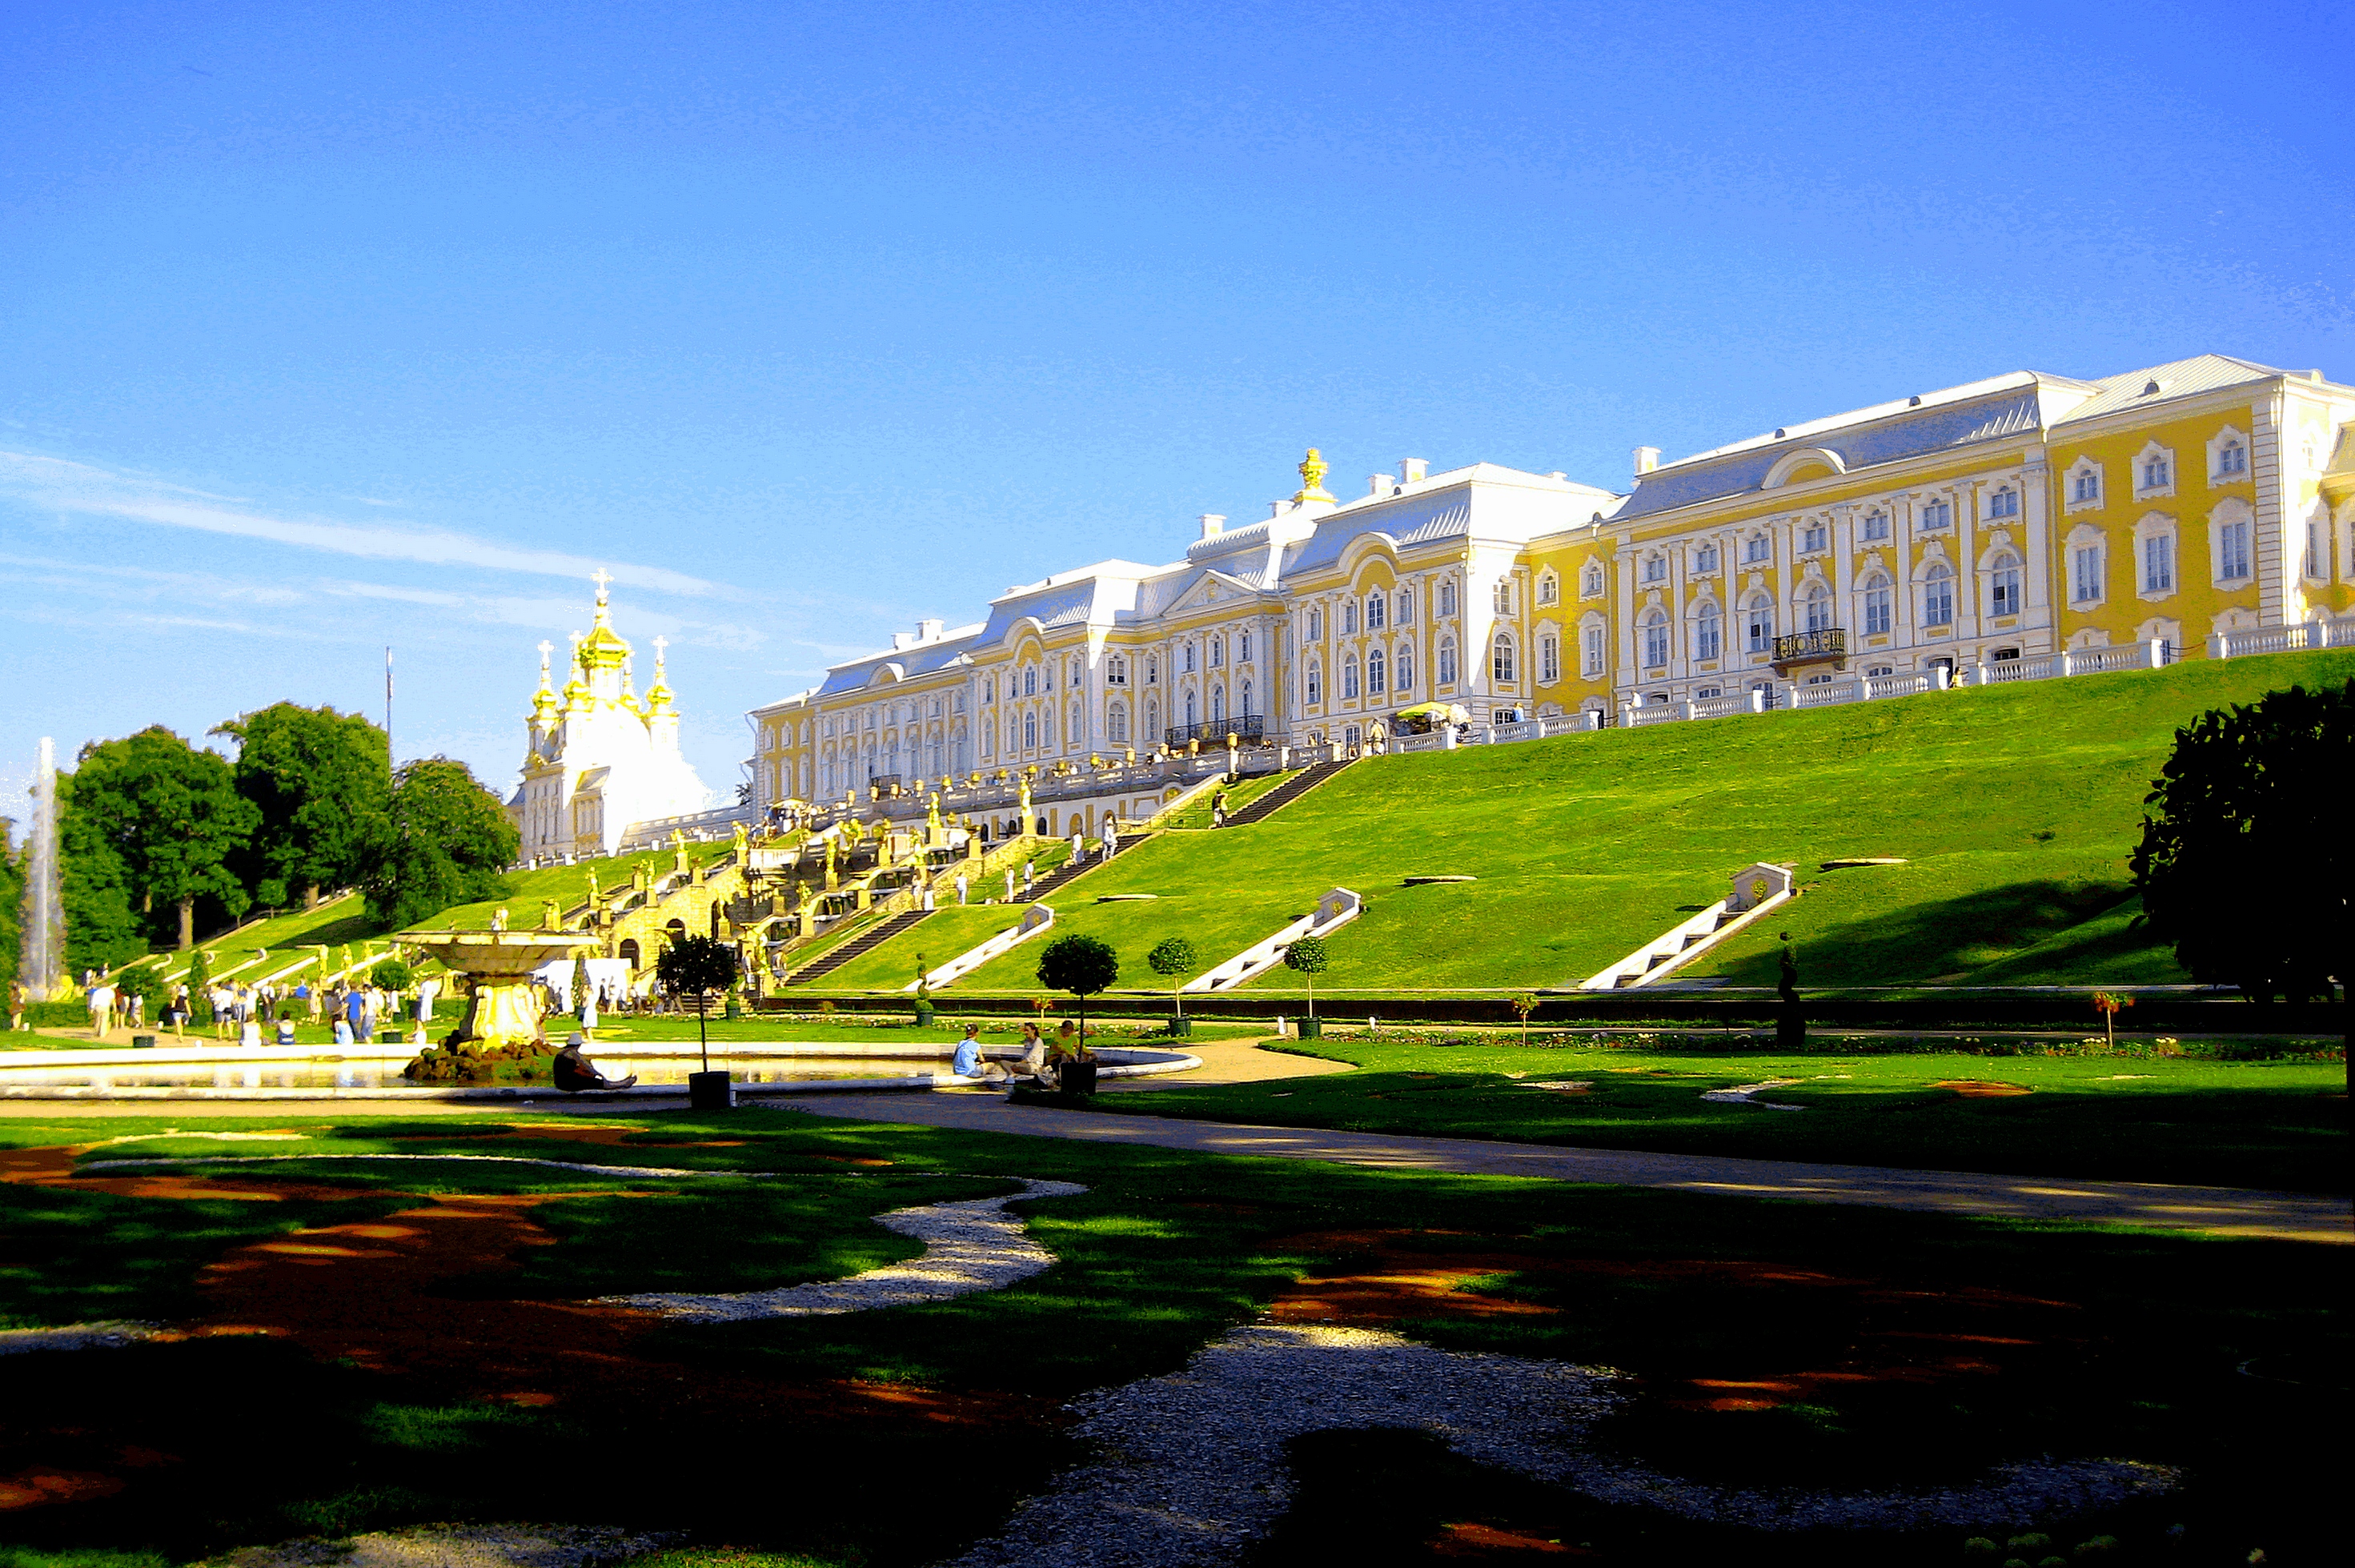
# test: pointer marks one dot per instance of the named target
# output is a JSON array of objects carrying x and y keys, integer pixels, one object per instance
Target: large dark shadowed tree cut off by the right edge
[{"x": 2255, "y": 792}]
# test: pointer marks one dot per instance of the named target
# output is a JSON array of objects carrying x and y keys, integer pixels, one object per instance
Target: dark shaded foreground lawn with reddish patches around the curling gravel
[{"x": 1984, "y": 1343}]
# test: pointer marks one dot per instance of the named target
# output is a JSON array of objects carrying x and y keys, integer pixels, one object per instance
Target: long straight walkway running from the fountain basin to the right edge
[{"x": 2224, "y": 1211}]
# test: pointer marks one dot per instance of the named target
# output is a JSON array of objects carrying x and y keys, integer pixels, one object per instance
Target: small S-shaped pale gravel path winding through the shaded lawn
[{"x": 967, "y": 1247}]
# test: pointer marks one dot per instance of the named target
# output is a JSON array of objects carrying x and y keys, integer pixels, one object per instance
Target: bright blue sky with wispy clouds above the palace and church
[{"x": 326, "y": 328}]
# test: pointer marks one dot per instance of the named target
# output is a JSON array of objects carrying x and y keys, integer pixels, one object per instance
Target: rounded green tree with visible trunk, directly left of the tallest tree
[{"x": 175, "y": 818}]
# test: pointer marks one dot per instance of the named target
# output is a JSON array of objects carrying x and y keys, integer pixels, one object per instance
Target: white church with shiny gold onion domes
[{"x": 599, "y": 757}]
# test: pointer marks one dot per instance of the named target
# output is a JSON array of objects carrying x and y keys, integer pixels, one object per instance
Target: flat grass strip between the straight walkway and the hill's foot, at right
[{"x": 2137, "y": 1119}]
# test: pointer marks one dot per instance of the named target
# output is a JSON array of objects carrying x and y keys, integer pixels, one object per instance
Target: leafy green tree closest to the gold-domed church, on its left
[{"x": 442, "y": 842}]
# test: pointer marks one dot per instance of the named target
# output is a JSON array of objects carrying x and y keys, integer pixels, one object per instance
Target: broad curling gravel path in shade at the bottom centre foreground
[{"x": 1195, "y": 1466}]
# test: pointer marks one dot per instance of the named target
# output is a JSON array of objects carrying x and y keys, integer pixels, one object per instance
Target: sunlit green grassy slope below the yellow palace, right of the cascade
[{"x": 2012, "y": 806}]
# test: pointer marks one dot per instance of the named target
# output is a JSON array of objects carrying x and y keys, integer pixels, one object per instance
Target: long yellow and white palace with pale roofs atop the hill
[{"x": 1970, "y": 526}]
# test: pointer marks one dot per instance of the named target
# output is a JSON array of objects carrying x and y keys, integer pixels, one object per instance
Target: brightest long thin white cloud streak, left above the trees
[{"x": 84, "y": 489}]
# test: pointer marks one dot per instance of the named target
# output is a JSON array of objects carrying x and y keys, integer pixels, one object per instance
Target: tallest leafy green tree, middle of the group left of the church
[{"x": 321, "y": 783}]
